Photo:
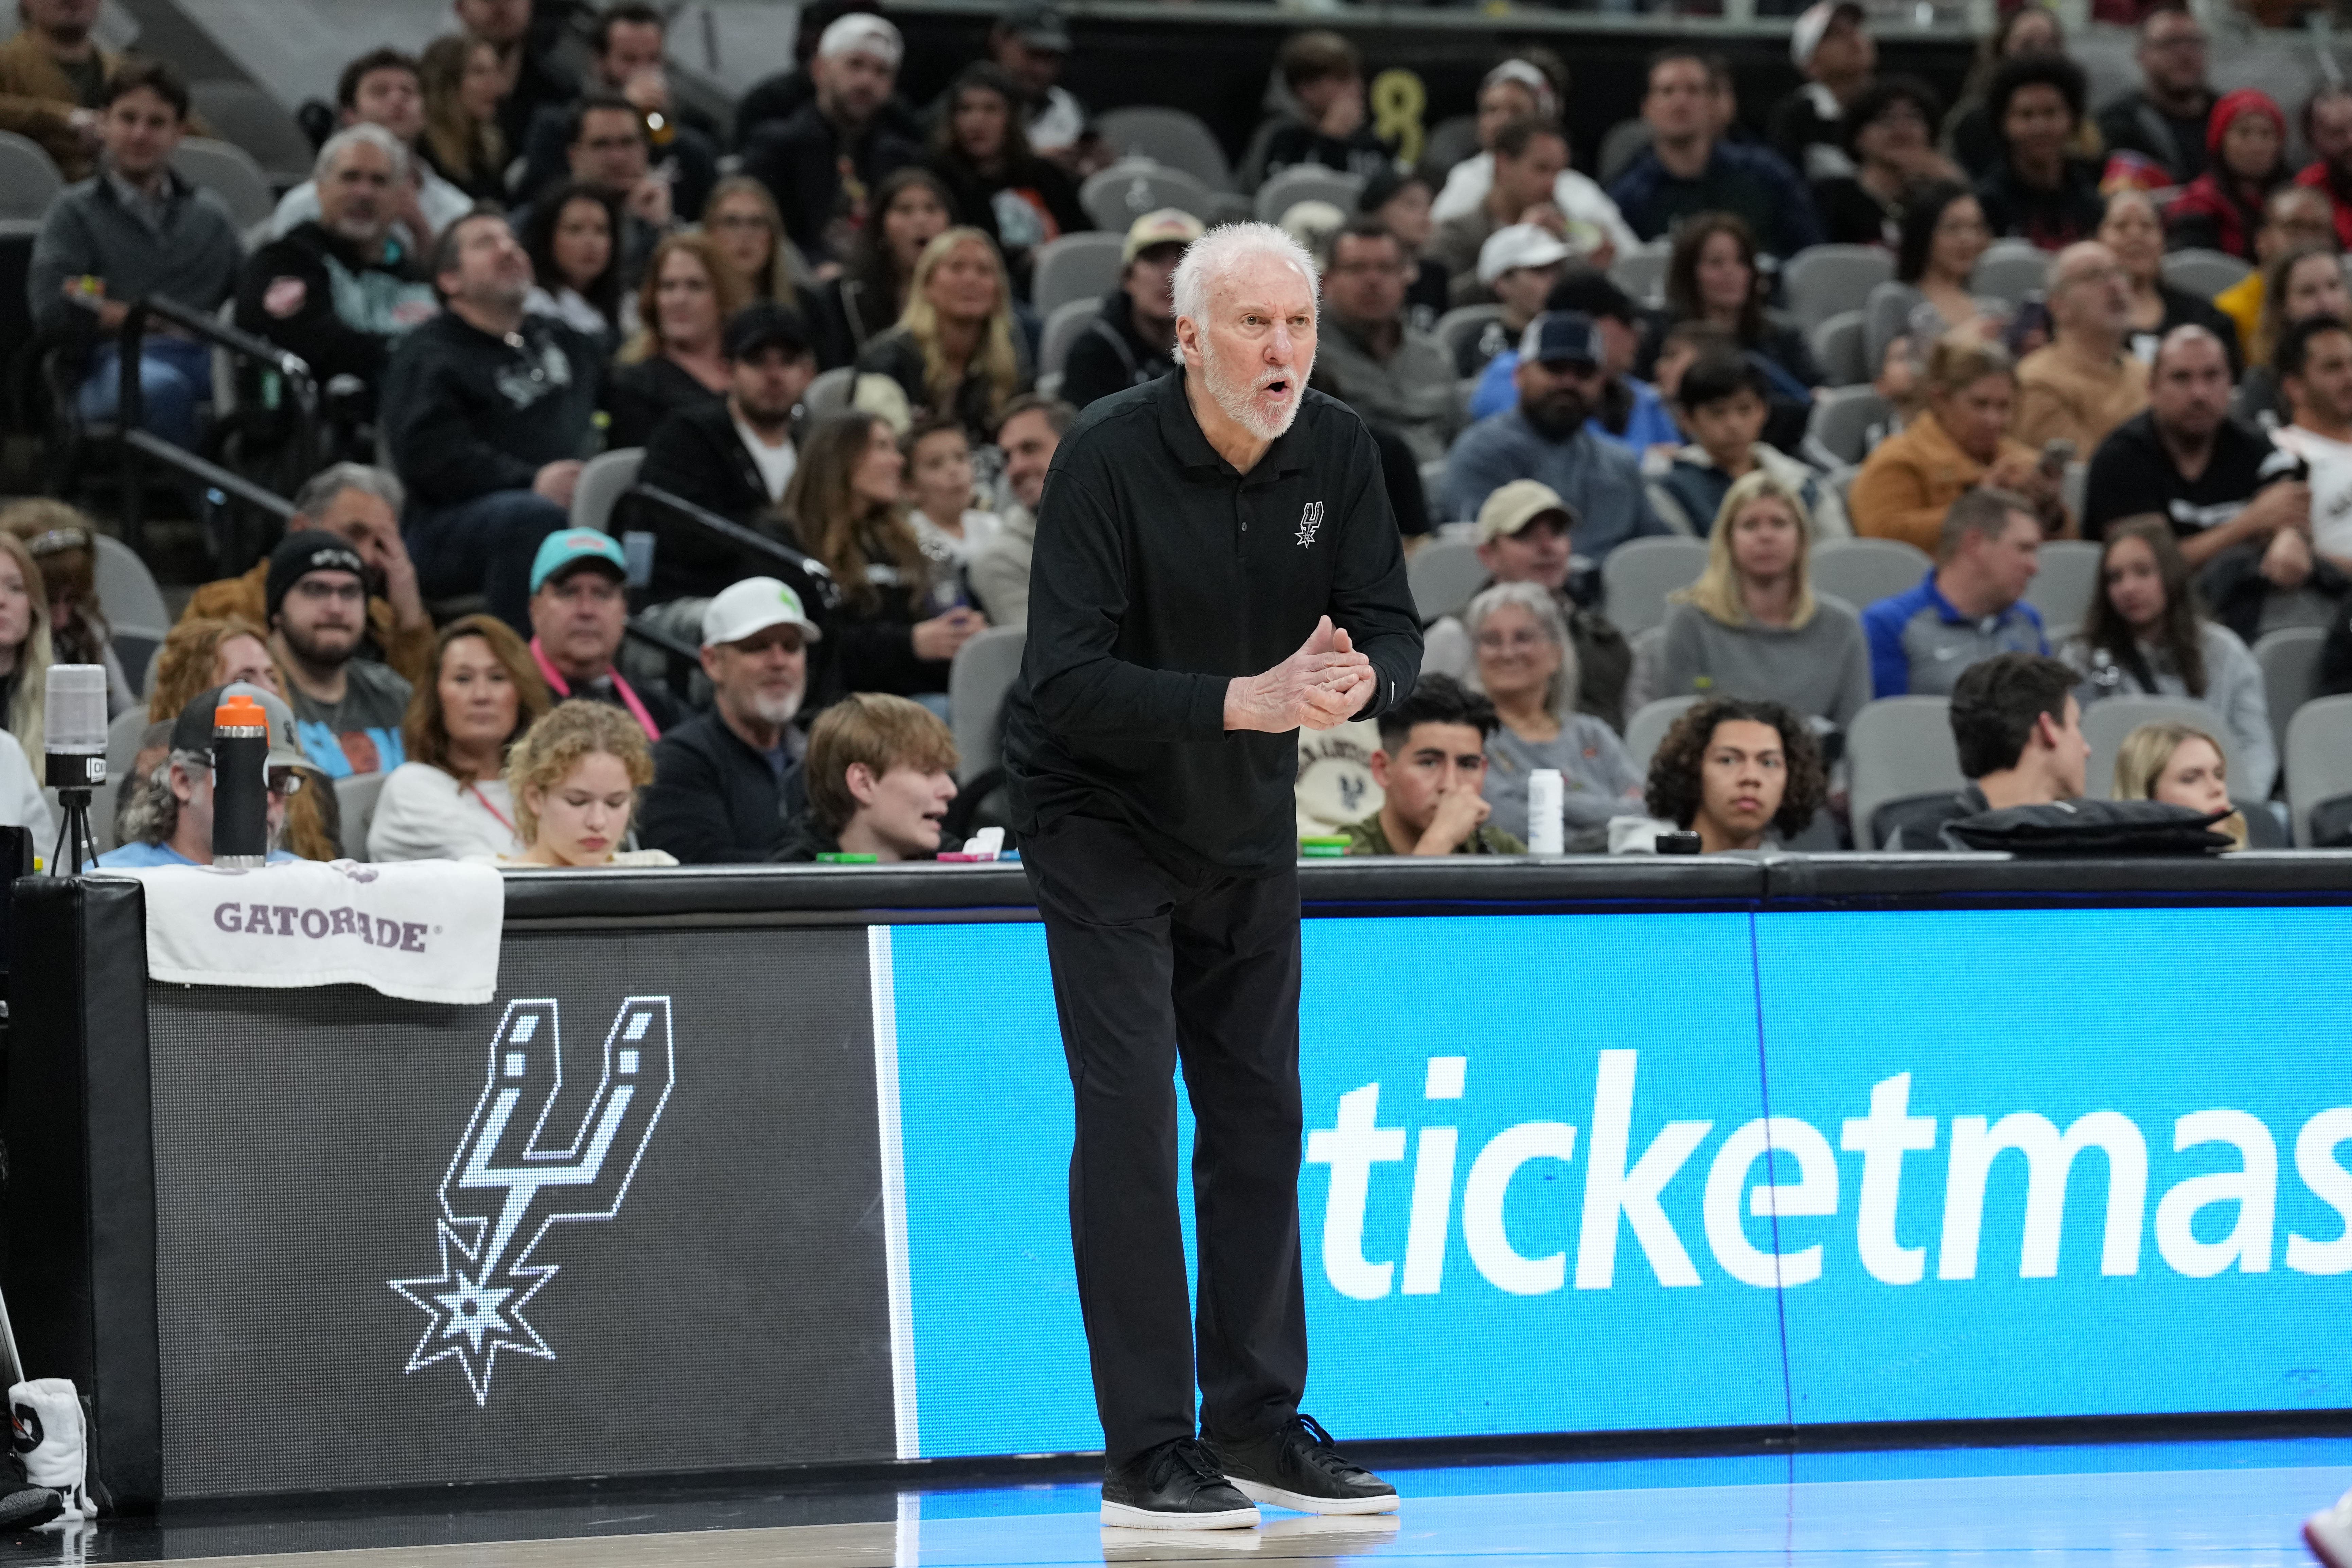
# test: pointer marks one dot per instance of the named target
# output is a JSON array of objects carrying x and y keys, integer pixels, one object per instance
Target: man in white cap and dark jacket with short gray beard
[{"x": 730, "y": 782}]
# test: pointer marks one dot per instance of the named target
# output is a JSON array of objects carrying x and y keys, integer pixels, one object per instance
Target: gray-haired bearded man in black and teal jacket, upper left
[{"x": 340, "y": 290}]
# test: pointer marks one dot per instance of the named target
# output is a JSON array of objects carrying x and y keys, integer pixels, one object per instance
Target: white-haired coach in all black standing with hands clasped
[{"x": 1217, "y": 568}]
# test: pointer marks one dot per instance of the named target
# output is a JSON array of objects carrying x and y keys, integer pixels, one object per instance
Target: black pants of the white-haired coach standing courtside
[{"x": 1154, "y": 963}]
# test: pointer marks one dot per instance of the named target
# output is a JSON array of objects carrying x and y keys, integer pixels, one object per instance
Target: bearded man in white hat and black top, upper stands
[{"x": 801, "y": 156}]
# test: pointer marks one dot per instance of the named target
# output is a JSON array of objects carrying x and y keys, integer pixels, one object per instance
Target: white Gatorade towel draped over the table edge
[{"x": 420, "y": 930}]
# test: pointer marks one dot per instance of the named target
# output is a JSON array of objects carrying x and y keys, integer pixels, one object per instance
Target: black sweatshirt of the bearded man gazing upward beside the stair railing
[{"x": 469, "y": 415}]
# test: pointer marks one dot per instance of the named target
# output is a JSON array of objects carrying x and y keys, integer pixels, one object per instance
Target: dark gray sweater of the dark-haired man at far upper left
[{"x": 192, "y": 253}]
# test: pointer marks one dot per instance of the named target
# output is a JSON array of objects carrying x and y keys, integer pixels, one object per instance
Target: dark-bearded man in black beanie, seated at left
[{"x": 347, "y": 711}]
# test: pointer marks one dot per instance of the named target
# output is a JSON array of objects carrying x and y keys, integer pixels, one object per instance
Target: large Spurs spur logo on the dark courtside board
[{"x": 514, "y": 1179}]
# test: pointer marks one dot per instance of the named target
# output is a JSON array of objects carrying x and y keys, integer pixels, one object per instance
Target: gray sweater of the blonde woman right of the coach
[{"x": 1819, "y": 669}]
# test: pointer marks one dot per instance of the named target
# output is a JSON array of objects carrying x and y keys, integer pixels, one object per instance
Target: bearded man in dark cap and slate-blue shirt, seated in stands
[{"x": 1563, "y": 370}]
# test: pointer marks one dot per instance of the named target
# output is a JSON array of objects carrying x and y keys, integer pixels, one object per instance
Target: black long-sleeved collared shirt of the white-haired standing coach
[{"x": 1158, "y": 577}]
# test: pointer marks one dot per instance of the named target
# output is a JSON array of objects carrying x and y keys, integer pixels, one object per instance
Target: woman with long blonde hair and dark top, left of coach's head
[{"x": 956, "y": 351}]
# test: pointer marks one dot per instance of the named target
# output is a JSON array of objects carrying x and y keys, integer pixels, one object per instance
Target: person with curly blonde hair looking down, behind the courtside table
[{"x": 575, "y": 782}]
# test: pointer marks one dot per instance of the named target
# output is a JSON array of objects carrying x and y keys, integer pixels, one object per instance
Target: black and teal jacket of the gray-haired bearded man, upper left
[{"x": 290, "y": 295}]
